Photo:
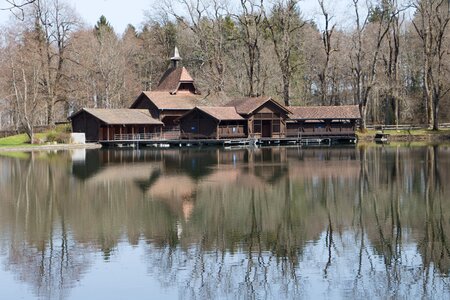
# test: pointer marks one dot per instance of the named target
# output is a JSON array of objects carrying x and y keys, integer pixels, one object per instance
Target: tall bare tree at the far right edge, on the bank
[{"x": 431, "y": 25}]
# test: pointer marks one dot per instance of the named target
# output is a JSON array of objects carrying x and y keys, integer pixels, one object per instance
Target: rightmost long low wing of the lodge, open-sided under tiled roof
[{"x": 323, "y": 121}]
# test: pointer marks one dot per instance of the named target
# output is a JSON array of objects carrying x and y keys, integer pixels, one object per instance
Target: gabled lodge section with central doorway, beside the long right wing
[{"x": 266, "y": 118}]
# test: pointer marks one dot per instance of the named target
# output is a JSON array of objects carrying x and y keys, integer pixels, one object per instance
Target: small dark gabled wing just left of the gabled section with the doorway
[{"x": 207, "y": 122}]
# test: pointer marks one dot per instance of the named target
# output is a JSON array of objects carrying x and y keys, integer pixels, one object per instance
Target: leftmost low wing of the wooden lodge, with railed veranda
[{"x": 114, "y": 124}]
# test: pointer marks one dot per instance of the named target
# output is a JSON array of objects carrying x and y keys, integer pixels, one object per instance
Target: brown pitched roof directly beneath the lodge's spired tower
[{"x": 166, "y": 101}]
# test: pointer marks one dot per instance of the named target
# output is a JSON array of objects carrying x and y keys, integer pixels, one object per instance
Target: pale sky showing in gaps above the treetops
[{"x": 120, "y": 13}]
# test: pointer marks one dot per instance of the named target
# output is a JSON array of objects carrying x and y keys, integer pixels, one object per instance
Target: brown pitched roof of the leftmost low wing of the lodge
[{"x": 121, "y": 116}]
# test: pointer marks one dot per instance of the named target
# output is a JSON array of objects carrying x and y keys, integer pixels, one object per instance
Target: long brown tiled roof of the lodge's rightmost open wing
[{"x": 325, "y": 112}]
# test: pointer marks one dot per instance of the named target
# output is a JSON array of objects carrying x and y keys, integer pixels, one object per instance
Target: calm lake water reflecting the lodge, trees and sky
[{"x": 264, "y": 223}]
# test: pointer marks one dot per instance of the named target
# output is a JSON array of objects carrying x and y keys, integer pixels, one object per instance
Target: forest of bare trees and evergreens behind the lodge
[{"x": 393, "y": 61}]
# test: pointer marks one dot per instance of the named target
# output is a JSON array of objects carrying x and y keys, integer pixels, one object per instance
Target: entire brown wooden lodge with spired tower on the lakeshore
[{"x": 175, "y": 113}]
